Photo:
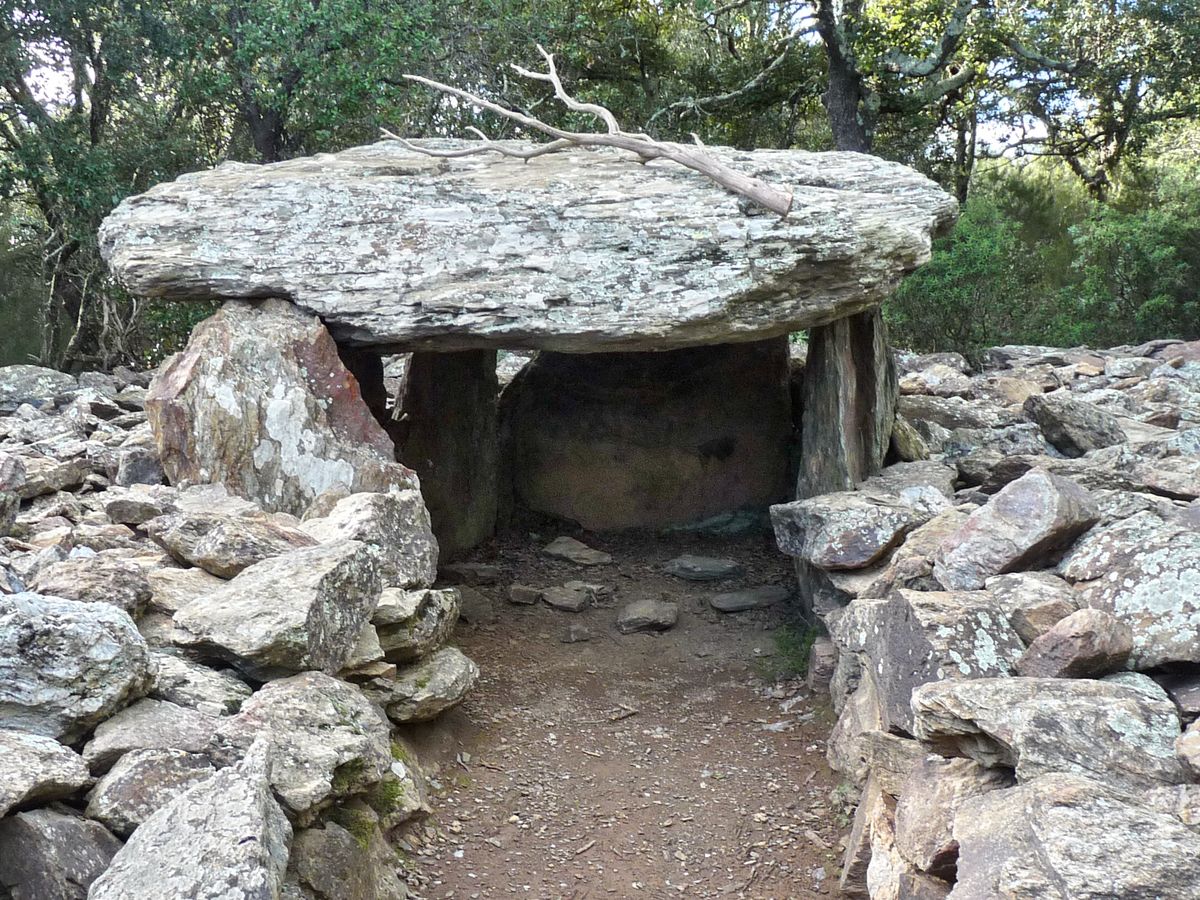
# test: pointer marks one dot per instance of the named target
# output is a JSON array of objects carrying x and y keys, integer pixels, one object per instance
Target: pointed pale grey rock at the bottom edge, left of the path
[{"x": 224, "y": 839}]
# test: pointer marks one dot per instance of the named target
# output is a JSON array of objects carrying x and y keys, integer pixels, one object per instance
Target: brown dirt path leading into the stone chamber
[{"x": 632, "y": 765}]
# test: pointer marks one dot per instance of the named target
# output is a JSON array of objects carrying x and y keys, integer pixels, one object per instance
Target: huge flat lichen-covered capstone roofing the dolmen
[{"x": 487, "y": 251}]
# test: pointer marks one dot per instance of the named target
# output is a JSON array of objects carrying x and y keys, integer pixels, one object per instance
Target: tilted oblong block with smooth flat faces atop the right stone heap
[{"x": 1029, "y": 523}]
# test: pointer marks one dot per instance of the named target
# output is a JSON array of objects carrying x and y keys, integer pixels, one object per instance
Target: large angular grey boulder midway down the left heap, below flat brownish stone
[{"x": 293, "y": 613}]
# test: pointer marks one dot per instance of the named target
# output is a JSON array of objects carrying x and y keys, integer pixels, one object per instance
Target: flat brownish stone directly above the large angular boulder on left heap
[{"x": 221, "y": 544}]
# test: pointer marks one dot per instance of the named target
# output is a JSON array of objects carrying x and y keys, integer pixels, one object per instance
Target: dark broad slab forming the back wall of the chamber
[{"x": 619, "y": 441}]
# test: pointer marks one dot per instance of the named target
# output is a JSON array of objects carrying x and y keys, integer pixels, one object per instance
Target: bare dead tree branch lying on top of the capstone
[{"x": 645, "y": 147}]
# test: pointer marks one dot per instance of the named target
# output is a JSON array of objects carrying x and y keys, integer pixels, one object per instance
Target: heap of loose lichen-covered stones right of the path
[{"x": 1015, "y": 608}]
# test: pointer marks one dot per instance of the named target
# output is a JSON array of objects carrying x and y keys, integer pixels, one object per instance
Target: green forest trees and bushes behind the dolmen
[{"x": 1070, "y": 130}]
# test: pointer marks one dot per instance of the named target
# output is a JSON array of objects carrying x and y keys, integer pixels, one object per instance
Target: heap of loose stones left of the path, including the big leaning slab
[{"x": 206, "y": 693}]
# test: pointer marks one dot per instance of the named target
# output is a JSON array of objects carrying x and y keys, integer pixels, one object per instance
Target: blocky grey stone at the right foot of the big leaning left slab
[{"x": 395, "y": 525}]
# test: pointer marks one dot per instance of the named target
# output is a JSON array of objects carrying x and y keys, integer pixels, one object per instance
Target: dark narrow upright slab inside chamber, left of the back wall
[{"x": 451, "y": 437}]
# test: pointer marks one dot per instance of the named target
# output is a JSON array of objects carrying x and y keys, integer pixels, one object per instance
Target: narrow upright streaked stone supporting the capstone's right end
[{"x": 850, "y": 398}]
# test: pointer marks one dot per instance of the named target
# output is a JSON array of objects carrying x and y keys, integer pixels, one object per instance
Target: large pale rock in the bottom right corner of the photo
[{"x": 1066, "y": 837}]
